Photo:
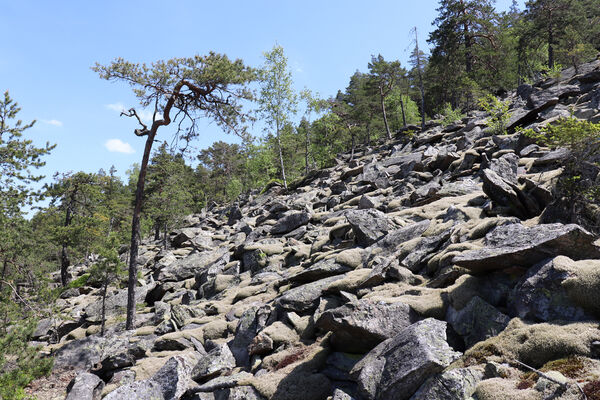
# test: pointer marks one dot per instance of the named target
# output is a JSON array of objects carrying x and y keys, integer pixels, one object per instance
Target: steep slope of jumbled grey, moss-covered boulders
[{"x": 420, "y": 269}]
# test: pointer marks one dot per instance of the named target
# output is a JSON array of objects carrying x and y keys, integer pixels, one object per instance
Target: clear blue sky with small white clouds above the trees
[{"x": 48, "y": 48}]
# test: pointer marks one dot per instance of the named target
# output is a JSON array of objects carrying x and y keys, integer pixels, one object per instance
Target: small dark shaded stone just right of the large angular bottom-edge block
[{"x": 477, "y": 321}]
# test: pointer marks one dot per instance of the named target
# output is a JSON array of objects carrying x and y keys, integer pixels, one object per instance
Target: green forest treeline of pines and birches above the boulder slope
[{"x": 475, "y": 51}]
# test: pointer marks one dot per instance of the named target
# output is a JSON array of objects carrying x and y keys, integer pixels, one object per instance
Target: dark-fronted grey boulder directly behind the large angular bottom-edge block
[{"x": 358, "y": 327}]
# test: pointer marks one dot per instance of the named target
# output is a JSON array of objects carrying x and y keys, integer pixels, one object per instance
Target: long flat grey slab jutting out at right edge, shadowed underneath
[{"x": 517, "y": 245}]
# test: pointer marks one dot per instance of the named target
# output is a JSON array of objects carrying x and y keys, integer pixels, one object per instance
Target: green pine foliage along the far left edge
[{"x": 19, "y": 310}]
